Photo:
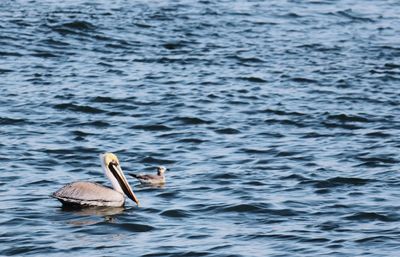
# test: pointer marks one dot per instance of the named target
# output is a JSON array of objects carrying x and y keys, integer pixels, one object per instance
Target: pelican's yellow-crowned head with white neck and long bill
[{"x": 113, "y": 170}]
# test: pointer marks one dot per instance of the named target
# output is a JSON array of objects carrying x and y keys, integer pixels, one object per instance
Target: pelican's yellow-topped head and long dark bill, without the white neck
[{"x": 114, "y": 167}]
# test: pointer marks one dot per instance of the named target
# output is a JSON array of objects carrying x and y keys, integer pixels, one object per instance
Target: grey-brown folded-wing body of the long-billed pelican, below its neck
[{"x": 88, "y": 193}]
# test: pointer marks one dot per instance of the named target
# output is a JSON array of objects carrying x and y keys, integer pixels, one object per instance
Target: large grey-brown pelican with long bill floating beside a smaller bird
[{"x": 82, "y": 193}]
